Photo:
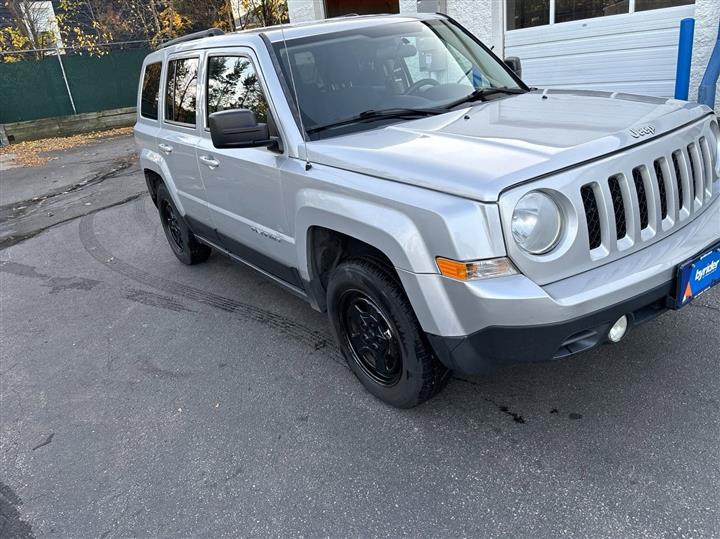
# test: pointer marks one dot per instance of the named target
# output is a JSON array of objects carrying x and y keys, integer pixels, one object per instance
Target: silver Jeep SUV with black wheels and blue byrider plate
[{"x": 393, "y": 172}]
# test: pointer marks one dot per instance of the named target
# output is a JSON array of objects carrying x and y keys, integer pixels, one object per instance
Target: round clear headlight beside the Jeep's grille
[{"x": 536, "y": 223}]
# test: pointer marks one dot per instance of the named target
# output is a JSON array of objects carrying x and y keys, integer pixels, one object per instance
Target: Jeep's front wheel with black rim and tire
[{"x": 379, "y": 335}]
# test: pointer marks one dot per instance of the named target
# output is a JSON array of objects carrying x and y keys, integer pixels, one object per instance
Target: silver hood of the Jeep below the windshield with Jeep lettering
[{"x": 479, "y": 151}]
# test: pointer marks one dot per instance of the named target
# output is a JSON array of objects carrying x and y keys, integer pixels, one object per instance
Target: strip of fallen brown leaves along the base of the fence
[{"x": 33, "y": 153}]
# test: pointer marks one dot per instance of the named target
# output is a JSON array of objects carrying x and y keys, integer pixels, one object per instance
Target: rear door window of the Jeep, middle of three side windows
[{"x": 181, "y": 92}]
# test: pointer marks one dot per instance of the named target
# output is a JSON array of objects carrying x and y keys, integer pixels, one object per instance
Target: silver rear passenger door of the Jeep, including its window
[{"x": 179, "y": 137}]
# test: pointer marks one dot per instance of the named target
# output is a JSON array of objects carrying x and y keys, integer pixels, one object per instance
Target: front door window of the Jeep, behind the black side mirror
[{"x": 233, "y": 83}]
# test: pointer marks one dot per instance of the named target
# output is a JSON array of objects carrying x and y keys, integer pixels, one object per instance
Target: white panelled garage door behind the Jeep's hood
[{"x": 631, "y": 52}]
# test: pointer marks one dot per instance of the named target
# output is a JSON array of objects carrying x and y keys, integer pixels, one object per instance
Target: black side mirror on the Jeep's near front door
[{"x": 238, "y": 128}]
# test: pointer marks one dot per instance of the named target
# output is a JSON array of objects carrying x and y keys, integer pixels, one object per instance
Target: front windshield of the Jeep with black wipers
[{"x": 399, "y": 65}]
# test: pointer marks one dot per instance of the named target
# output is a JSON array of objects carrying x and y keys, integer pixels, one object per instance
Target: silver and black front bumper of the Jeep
[{"x": 478, "y": 324}]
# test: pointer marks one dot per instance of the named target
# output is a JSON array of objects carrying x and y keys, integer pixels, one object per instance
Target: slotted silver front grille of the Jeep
[{"x": 649, "y": 198}]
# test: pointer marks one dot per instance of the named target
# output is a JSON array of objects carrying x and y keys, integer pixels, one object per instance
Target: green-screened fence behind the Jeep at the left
[{"x": 44, "y": 83}]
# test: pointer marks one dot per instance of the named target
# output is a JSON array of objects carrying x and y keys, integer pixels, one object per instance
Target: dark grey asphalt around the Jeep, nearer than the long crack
[{"x": 141, "y": 397}]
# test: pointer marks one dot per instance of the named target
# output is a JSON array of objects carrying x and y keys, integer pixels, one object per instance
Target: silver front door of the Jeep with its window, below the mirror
[{"x": 244, "y": 185}]
